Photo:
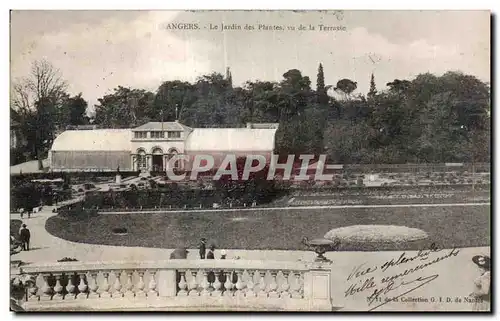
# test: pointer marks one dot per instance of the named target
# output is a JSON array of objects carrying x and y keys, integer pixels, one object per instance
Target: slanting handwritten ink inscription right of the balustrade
[{"x": 382, "y": 289}]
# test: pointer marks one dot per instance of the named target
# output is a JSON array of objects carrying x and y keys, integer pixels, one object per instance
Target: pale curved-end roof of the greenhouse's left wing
[{"x": 93, "y": 140}]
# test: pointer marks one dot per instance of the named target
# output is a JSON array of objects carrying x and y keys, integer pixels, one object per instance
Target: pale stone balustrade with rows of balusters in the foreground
[{"x": 179, "y": 285}]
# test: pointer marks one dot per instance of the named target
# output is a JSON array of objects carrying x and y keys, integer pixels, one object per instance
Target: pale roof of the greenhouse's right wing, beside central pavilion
[{"x": 230, "y": 139}]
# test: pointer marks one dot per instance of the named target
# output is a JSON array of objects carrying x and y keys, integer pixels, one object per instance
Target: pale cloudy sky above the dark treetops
[{"x": 97, "y": 51}]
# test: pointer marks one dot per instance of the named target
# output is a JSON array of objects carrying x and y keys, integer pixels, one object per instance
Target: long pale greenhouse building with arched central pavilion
[{"x": 150, "y": 147}]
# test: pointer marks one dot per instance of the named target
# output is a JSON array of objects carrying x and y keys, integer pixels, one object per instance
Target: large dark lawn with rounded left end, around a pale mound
[{"x": 448, "y": 227}]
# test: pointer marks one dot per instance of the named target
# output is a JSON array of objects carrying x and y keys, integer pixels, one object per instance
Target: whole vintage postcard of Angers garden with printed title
[{"x": 250, "y": 161}]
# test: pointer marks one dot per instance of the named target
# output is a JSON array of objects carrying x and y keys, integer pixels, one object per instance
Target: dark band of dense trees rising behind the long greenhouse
[{"x": 428, "y": 119}]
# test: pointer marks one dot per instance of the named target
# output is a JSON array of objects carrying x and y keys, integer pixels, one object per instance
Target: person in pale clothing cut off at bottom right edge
[{"x": 481, "y": 293}]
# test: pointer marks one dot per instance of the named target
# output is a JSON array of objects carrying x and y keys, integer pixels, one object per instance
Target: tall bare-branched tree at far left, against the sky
[{"x": 36, "y": 98}]
